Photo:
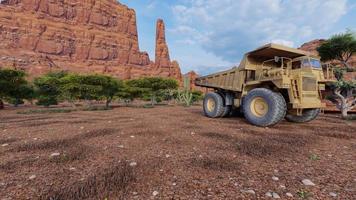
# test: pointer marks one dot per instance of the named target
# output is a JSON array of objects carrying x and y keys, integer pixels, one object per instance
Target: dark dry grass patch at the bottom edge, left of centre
[{"x": 107, "y": 182}]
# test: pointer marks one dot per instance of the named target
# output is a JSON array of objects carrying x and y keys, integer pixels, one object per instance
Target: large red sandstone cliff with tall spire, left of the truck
[{"x": 80, "y": 36}]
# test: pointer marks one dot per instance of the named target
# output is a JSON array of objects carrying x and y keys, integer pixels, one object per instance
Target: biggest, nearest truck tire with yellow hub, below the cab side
[{"x": 274, "y": 108}]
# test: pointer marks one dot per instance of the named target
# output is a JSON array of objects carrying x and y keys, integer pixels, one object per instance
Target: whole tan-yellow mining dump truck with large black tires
[{"x": 271, "y": 83}]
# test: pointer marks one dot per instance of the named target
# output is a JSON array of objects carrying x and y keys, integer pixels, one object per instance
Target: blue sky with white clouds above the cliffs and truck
[{"x": 212, "y": 35}]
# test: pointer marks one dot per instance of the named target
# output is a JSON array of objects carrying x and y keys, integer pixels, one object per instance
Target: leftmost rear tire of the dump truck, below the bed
[{"x": 218, "y": 108}]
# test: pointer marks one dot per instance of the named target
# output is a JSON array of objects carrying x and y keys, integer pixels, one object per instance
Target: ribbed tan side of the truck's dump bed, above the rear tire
[{"x": 227, "y": 80}]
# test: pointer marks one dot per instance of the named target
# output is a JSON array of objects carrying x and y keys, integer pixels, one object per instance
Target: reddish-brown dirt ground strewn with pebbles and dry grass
[{"x": 172, "y": 152}]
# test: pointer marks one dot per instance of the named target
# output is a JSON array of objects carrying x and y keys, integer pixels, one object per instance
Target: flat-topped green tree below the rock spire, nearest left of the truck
[{"x": 153, "y": 86}]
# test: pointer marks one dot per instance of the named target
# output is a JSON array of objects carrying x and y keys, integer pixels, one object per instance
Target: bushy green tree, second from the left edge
[{"x": 47, "y": 88}]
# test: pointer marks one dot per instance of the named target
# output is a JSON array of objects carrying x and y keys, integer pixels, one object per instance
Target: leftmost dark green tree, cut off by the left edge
[{"x": 14, "y": 87}]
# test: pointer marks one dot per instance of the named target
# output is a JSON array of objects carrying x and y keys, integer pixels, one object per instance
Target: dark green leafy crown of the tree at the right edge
[{"x": 339, "y": 47}]
